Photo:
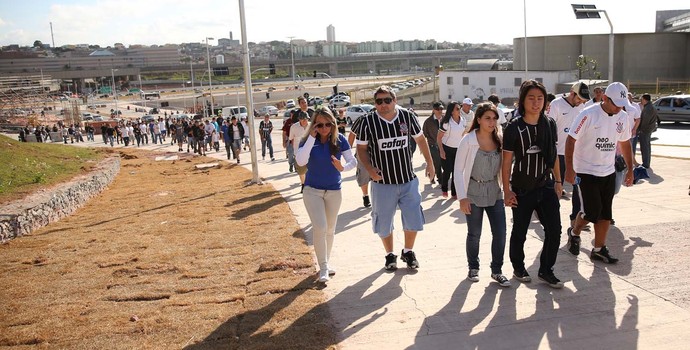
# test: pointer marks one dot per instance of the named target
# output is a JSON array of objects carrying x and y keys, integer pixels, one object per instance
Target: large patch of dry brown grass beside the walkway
[{"x": 168, "y": 257}]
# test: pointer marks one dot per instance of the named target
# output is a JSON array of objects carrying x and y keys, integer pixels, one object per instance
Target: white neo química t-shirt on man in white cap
[{"x": 597, "y": 136}]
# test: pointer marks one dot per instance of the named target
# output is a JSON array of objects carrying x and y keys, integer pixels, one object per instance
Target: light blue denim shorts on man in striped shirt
[{"x": 385, "y": 199}]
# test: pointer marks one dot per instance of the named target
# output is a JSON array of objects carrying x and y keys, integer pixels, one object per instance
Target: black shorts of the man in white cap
[{"x": 596, "y": 196}]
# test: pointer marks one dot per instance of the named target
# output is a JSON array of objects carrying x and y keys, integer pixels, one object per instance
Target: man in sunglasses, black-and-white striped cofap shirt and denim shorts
[{"x": 383, "y": 146}]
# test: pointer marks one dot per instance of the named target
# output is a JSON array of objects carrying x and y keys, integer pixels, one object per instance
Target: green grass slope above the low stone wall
[{"x": 26, "y": 167}]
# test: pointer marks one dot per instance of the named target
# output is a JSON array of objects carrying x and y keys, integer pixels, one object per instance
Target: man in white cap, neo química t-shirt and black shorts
[{"x": 590, "y": 153}]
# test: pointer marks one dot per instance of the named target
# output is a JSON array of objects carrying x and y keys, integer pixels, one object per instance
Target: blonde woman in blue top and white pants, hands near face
[{"x": 326, "y": 153}]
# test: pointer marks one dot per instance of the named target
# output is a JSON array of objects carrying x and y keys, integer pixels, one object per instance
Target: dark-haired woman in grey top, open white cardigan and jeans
[{"x": 477, "y": 169}]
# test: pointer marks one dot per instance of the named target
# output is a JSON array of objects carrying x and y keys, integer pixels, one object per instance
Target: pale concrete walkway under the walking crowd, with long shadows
[{"x": 642, "y": 302}]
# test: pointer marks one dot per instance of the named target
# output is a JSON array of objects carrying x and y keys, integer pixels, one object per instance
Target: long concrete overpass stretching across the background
[{"x": 81, "y": 70}]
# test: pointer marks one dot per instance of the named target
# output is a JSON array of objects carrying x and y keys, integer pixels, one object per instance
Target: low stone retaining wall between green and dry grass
[{"x": 23, "y": 216}]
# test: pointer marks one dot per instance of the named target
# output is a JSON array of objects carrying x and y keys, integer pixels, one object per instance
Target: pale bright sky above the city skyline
[{"x": 149, "y": 22}]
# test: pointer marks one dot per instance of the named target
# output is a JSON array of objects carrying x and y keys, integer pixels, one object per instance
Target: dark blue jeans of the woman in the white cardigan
[{"x": 497, "y": 220}]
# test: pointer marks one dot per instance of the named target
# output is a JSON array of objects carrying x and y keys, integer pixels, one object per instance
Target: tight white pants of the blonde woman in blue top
[{"x": 322, "y": 207}]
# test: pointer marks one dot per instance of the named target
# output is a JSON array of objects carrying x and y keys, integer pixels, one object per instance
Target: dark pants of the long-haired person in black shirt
[{"x": 544, "y": 201}]
